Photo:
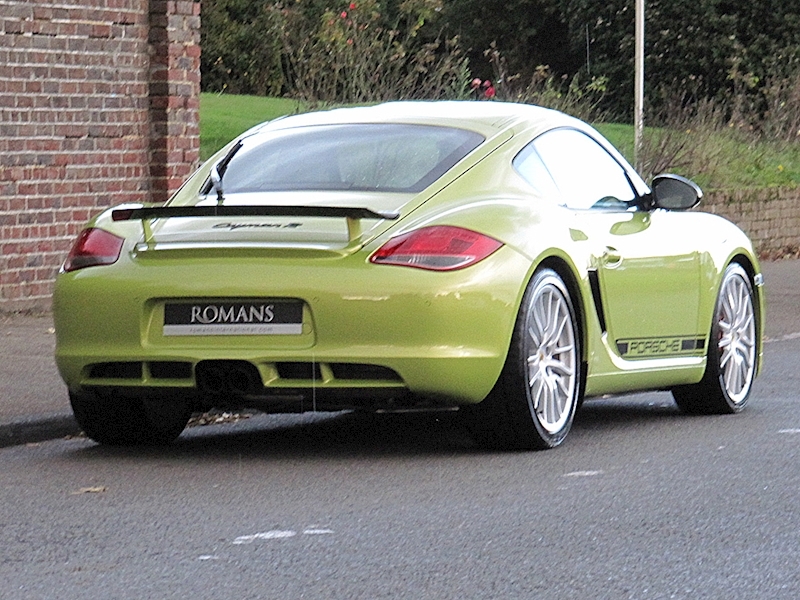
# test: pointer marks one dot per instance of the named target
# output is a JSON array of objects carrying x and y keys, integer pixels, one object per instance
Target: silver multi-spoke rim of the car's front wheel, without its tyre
[{"x": 737, "y": 337}]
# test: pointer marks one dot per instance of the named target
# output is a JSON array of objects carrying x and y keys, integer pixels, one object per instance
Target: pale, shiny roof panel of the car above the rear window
[{"x": 487, "y": 118}]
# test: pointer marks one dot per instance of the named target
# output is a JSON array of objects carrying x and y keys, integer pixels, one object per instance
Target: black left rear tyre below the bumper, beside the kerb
[{"x": 117, "y": 421}]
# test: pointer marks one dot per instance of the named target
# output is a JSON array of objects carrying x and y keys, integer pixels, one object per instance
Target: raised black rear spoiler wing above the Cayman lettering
[{"x": 353, "y": 214}]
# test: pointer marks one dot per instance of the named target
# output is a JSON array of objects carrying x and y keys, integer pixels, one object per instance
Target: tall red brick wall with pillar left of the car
[{"x": 98, "y": 105}]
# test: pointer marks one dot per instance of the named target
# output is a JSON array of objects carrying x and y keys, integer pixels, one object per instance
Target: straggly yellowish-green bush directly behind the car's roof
[{"x": 355, "y": 54}]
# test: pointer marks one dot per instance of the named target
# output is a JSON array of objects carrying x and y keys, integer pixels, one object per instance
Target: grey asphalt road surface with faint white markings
[{"x": 640, "y": 502}]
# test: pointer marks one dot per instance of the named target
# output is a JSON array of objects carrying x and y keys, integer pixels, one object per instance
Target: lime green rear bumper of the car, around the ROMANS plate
[{"x": 368, "y": 330}]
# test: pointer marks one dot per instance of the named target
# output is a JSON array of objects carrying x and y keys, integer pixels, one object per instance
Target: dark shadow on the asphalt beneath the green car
[{"x": 349, "y": 434}]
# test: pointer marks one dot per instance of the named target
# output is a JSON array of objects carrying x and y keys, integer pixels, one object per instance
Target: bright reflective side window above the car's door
[{"x": 584, "y": 172}]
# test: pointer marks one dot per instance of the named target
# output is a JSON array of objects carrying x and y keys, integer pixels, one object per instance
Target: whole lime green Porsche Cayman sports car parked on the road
[{"x": 500, "y": 258}]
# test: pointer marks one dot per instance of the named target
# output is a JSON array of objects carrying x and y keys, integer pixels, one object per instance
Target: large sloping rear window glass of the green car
[{"x": 364, "y": 157}]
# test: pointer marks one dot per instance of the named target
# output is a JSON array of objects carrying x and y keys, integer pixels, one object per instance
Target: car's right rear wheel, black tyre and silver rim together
[{"x": 533, "y": 403}]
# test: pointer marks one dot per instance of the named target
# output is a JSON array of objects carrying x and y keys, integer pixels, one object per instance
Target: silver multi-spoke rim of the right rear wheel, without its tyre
[{"x": 552, "y": 358}]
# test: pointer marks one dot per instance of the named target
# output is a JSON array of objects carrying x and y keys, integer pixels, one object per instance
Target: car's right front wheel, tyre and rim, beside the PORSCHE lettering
[{"x": 732, "y": 351}]
